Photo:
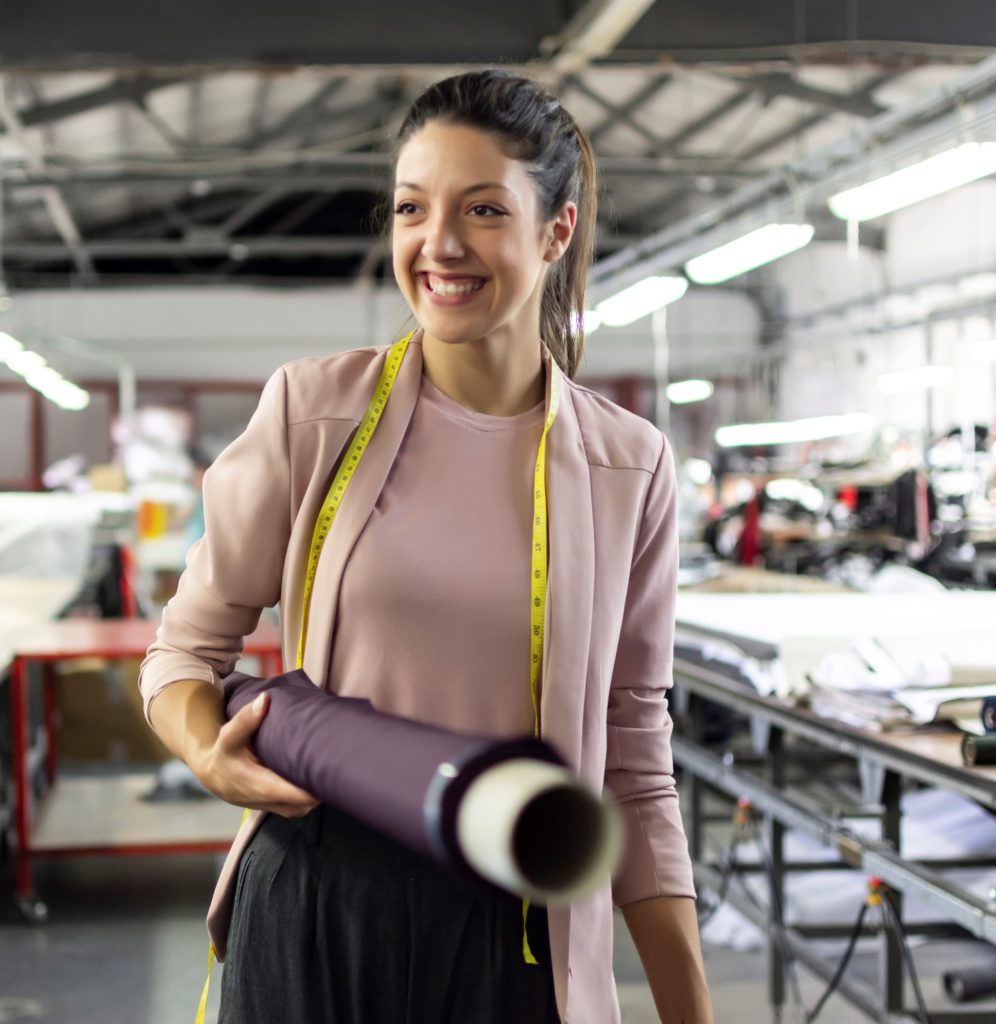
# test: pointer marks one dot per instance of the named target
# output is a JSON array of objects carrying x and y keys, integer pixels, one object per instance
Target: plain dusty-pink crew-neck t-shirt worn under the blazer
[{"x": 434, "y": 615}]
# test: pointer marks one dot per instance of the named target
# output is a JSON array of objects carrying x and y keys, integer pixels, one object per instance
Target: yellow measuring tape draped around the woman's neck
[{"x": 323, "y": 528}]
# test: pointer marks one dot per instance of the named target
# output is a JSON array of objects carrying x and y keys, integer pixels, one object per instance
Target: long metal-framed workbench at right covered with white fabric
[{"x": 828, "y": 718}]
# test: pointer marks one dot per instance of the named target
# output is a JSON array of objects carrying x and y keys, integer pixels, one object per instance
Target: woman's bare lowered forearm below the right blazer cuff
[{"x": 665, "y": 931}]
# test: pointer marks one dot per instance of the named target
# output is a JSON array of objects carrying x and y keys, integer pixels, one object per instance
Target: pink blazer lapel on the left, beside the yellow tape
[{"x": 355, "y": 510}]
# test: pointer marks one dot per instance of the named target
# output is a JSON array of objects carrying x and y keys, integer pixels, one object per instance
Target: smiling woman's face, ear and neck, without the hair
[{"x": 472, "y": 253}]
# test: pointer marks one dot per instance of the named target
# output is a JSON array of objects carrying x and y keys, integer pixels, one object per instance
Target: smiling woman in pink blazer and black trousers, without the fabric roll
[{"x": 420, "y": 603}]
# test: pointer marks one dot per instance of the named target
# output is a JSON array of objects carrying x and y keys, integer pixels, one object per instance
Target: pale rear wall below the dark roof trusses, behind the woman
[{"x": 246, "y": 333}]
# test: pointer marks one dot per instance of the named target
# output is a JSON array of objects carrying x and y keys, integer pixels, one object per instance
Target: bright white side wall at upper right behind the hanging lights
[{"x": 834, "y": 365}]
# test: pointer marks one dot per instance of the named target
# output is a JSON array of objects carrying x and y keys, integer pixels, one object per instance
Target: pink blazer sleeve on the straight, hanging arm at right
[{"x": 639, "y": 766}]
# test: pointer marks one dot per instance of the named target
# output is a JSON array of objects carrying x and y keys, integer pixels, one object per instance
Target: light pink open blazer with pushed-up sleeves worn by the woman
[{"x": 608, "y": 663}]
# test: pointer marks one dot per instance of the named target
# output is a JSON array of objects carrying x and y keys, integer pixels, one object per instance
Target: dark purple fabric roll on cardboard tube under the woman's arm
[{"x": 506, "y": 810}]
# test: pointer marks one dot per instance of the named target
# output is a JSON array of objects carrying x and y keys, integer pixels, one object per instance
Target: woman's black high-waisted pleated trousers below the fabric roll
[{"x": 336, "y": 924}]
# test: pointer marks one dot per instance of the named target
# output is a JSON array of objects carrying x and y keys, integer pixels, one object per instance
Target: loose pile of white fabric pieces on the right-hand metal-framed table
[{"x": 887, "y": 685}]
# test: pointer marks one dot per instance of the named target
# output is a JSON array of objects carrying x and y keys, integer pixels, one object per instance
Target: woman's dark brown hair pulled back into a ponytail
[{"x": 534, "y": 127}]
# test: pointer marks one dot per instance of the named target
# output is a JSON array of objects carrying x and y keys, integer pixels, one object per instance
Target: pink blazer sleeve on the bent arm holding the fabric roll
[{"x": 236, "y": 570}]
